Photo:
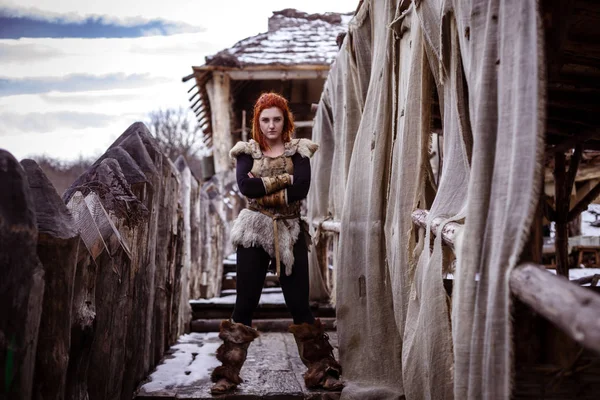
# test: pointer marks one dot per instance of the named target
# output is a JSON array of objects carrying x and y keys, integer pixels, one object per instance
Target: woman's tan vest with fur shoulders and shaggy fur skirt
[{"x": 252, "y": 228}]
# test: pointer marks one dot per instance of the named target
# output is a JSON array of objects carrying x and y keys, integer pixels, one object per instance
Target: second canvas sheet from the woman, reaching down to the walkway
[{"x": 370, "y": 344}]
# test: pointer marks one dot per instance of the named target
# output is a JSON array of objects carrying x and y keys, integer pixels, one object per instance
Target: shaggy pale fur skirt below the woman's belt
[{"x": 253, "y": 229}]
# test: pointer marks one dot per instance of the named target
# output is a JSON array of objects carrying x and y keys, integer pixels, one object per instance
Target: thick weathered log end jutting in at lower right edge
[{"x": 570, "y": 307}]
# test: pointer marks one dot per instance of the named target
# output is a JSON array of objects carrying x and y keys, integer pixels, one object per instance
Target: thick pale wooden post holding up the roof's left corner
[{"x": 218, "y": 93}]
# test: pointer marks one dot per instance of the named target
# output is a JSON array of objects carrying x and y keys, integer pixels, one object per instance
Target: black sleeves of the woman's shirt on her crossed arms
[{"x": 254, "y": 188}]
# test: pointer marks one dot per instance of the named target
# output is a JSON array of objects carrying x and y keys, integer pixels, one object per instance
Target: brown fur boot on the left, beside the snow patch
[{"x": 232, "y": 353}]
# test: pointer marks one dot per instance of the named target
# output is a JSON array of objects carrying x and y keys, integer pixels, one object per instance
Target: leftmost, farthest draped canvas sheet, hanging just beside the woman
[{"x": 336, "y": 124}]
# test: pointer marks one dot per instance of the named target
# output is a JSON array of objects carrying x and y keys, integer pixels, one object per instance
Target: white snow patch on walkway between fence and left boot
[{"x": 193, "y": 352}]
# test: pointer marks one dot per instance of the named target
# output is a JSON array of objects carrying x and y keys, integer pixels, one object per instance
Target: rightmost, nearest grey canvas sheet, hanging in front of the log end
[{"x": 503, "y": 67}]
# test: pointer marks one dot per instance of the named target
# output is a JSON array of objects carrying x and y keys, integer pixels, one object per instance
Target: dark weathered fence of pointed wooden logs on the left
[{"x": 94, "y": 287}]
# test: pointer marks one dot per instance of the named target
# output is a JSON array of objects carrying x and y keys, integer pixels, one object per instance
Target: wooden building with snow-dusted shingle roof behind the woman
[{"x": 292, "y": 58}]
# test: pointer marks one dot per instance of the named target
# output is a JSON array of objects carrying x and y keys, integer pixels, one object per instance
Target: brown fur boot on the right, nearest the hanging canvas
[{"x": 317, "y": 354}]
